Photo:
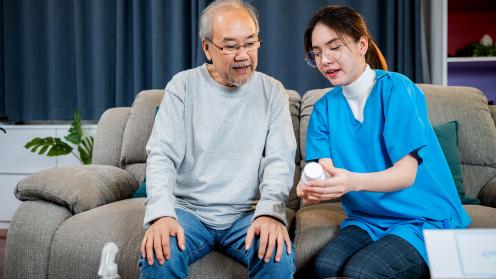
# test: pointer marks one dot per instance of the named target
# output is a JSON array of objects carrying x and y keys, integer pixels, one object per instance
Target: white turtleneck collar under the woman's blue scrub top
[{"x": 357, "y": 92}]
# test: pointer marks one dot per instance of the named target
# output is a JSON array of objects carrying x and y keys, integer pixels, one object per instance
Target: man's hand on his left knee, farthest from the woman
[{"x": 157, "y": 239}]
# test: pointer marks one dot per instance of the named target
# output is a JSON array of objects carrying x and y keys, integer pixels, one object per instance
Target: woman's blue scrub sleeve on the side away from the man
[{"x": 405, "y": 120}]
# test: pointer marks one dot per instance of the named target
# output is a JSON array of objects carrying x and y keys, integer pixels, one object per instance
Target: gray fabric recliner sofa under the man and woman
[{"x": 68, "y": 214}]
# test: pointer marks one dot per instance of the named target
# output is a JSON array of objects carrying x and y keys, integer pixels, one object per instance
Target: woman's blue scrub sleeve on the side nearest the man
[{"x": 317, "y": 143}]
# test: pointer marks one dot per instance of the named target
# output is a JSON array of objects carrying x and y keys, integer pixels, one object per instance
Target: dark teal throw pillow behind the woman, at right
[{"x": 447, "y": 135}]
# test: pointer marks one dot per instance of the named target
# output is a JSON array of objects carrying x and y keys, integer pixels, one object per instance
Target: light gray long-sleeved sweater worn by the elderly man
[{"x": 218, "y": 151}]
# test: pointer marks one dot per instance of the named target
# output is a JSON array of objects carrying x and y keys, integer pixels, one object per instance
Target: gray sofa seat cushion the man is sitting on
[{"x": 122, "y": 223}]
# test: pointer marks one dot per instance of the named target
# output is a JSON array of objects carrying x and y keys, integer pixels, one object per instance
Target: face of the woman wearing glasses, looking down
[{"x": 340, "y": 60}]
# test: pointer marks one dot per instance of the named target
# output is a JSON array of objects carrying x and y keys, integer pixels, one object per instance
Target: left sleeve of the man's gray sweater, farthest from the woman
[{"x": 165, "y": 149}]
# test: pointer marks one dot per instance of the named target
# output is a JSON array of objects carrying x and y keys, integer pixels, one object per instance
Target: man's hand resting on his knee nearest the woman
[{"x": 272, "y": 233}]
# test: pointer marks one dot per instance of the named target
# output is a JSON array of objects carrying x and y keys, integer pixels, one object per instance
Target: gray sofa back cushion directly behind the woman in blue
[{"x": 467, "y": 105}]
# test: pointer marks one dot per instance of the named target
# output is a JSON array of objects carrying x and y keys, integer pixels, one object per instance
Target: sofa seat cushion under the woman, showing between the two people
[{"x": 316, "y": 225}]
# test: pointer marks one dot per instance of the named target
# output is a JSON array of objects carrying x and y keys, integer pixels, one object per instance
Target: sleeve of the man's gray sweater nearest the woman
[{"x": 277, "y": 164}]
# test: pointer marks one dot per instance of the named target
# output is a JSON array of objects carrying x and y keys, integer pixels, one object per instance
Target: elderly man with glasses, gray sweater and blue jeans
[{"x": 220, "y": 158}]
